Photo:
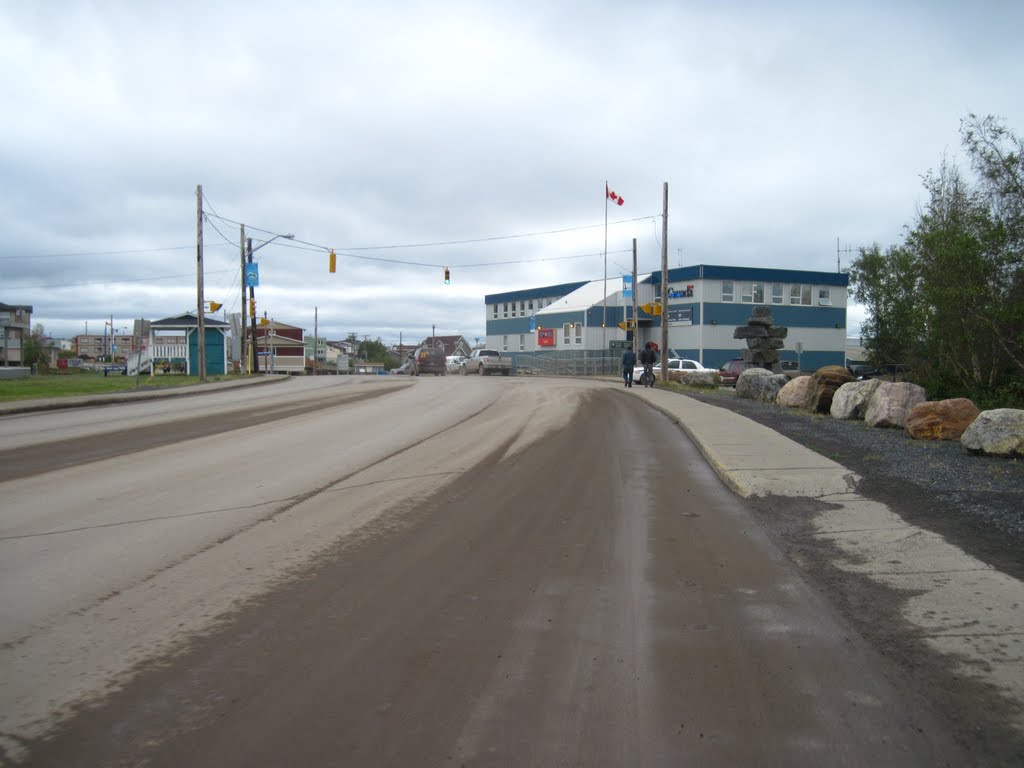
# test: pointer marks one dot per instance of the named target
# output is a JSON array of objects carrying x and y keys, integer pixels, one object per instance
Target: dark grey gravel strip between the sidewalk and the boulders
[{"x": 976, "y": 503}]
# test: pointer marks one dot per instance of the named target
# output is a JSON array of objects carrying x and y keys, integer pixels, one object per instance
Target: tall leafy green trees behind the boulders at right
[{"x": 951, "y": 300}]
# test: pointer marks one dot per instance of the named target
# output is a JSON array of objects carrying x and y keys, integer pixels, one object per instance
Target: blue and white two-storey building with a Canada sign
[{"x": 705, "y": 306}]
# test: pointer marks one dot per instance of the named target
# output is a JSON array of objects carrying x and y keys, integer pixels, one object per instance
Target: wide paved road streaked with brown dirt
[{"x": 442, "y": 572}]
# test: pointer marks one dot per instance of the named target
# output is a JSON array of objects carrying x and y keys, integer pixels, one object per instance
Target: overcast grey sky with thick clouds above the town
[{"x": 414, "y": 136}]
